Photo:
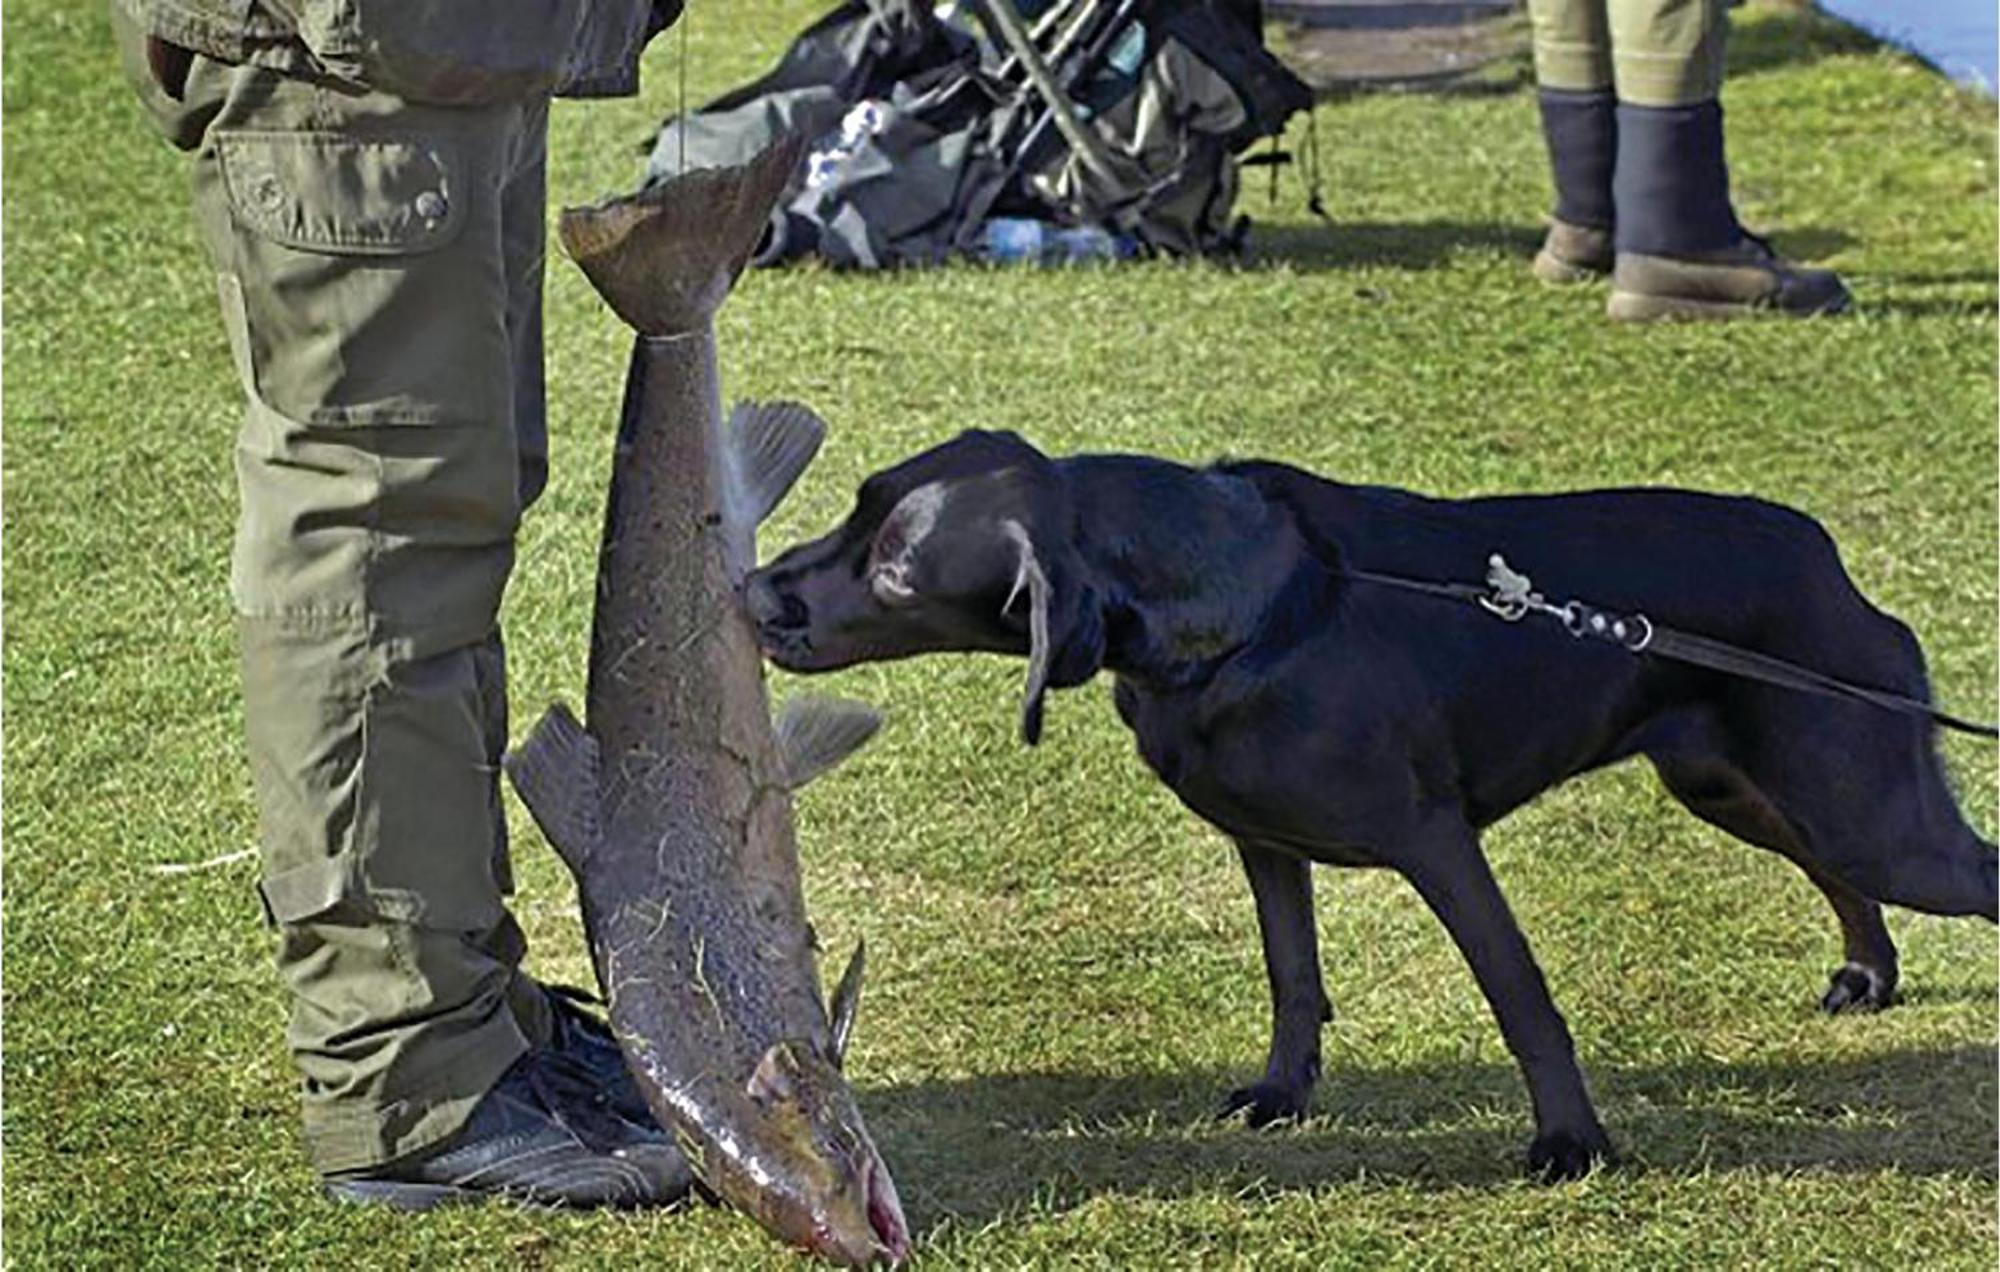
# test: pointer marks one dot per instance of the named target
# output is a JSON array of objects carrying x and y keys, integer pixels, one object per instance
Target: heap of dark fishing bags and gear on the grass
[{"x": 927, "y": 127}]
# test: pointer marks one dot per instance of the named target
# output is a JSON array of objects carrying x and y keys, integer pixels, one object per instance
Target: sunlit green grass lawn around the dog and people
[{"x": 1065, "y": 973}]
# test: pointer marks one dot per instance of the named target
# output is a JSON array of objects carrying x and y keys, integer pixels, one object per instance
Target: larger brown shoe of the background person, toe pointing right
[{"x": 1733, "y": 283}]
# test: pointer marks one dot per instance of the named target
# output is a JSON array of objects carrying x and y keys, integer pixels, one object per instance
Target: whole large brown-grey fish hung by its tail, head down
[{"x": 675, "y": 805}]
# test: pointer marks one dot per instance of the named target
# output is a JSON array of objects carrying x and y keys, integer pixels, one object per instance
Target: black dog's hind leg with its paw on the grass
[{"x": 1723, "y": 797}]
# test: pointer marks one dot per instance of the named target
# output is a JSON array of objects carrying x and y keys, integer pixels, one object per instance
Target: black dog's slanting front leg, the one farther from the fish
[{"x": 1449, "y": 871}]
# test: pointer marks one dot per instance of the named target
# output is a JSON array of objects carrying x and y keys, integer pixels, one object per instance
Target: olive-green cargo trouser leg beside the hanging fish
[{"x": 379, "y": 267}]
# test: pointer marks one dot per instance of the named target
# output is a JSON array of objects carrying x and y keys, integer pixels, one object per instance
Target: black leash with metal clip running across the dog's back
[{"x": 1511, "y": 599}]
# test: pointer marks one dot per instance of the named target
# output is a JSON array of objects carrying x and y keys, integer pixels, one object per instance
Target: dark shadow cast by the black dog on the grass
[{"x": 973, "y": 1151}]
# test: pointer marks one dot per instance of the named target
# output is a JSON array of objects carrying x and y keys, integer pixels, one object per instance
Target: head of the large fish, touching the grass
[{"x": 807, "y": 1169}]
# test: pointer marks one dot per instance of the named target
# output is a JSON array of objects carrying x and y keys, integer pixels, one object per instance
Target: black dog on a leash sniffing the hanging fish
[{"x": 1319, "y": 719}]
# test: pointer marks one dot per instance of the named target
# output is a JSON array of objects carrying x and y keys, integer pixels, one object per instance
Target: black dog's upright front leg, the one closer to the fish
[{"x": 1283, "y": 889}]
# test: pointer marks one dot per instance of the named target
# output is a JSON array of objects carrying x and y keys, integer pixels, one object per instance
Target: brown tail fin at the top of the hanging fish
[{"x": 667, "y": 257}]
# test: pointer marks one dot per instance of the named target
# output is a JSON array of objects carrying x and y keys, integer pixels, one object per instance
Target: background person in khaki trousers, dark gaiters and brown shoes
[{"x": 1631, "y": 113}]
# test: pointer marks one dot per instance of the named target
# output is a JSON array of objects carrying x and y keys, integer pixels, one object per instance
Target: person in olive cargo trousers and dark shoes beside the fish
[{"x": 369, "y": 181}]
